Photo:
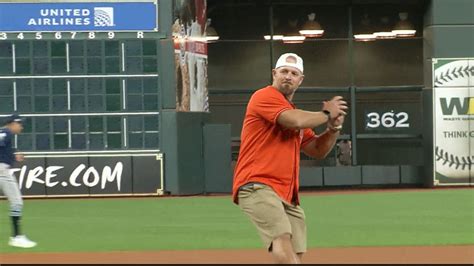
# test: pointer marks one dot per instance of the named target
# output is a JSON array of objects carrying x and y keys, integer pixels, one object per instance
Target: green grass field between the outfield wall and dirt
[{"x": 430, "y": 217}]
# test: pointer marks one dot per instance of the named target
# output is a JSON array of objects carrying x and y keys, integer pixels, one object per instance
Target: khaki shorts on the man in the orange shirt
[{"x": 272, "y": 216}]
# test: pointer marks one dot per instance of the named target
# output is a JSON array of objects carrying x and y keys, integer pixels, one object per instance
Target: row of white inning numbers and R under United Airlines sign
[{"x": 64, "y": 35}]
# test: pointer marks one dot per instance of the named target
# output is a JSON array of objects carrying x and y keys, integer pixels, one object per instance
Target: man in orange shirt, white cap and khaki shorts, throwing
[{"x": 266, "y": 175}]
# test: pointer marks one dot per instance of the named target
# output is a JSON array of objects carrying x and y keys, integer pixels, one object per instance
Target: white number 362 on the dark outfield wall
[{"x": 387, "y": 120}]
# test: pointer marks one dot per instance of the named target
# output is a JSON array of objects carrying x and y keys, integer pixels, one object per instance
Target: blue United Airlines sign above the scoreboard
[{"x": 122, "y": 16}]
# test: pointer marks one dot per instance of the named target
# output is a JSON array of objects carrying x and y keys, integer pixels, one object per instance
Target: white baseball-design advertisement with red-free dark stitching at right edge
[{"x": 453, "y": 121}]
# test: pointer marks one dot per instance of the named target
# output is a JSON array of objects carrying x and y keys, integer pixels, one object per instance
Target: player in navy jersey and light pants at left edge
[{"x": 8, "y": 182}]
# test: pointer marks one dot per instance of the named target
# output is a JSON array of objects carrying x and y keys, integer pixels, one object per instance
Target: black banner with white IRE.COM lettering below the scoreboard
[{"x": 90, "y": 175}]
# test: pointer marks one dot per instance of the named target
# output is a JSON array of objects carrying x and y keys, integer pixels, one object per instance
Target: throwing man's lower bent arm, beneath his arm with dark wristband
[{"x": 320, "y": 147}]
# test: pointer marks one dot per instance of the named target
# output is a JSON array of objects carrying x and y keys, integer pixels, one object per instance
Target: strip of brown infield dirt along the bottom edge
[{"x": 356, "y": 255}]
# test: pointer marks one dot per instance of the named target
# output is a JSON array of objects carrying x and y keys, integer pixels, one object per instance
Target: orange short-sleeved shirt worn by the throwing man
[{"x": 270, "y": 153}]
